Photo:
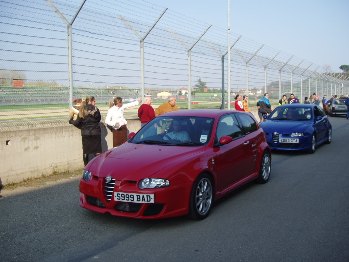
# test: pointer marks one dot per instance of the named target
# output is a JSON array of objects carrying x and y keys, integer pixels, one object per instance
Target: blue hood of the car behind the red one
[{"x": 282, "y": 126}]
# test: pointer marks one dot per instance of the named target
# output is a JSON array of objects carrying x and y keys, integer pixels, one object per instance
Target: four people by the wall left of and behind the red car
[{"x": 87, "y": 117}]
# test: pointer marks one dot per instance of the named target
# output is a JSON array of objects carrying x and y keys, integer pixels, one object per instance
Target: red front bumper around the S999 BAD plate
[{"x": 169, "y": 201}]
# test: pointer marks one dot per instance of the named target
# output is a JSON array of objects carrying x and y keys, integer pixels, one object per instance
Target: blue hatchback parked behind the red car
[{"x": 297, "y": 127}]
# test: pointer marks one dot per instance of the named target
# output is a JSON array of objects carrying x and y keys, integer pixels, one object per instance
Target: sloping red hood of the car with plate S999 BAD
[{"x": 137, "y": 161}]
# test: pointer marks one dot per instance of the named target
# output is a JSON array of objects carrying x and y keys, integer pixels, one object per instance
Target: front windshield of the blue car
[{"x": 292, "y": 113}]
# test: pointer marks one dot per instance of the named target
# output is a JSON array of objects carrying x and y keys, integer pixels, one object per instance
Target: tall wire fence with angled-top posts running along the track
[{"x": 54, "y": 51}]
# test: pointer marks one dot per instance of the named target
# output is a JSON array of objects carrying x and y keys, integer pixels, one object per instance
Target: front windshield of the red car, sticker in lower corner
[{"x": 175, "y": 131}]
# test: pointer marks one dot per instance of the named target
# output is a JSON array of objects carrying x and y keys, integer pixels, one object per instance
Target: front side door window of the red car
[{"x": 228, "y": 126}]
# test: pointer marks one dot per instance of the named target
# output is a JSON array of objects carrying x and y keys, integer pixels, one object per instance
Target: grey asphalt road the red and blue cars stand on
[{"x": 302, "y": 214}]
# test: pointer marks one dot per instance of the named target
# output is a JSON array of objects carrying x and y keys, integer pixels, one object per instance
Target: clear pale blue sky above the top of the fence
[{"x": 314, "y": 30}]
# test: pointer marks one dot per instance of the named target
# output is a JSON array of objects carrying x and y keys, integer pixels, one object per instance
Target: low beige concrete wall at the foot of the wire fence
[{"x": 34, "y": 152}]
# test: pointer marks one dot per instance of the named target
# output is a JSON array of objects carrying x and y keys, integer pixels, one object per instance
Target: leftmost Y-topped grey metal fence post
[{"x": 70, "y": 44}]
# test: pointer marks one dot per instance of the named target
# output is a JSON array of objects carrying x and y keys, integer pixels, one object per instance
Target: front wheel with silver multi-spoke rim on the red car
[{"x": 201, "y": 198}]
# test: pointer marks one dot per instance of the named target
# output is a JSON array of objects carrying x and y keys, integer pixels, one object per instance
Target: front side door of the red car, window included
[{"x": 232, "y": 159}]
